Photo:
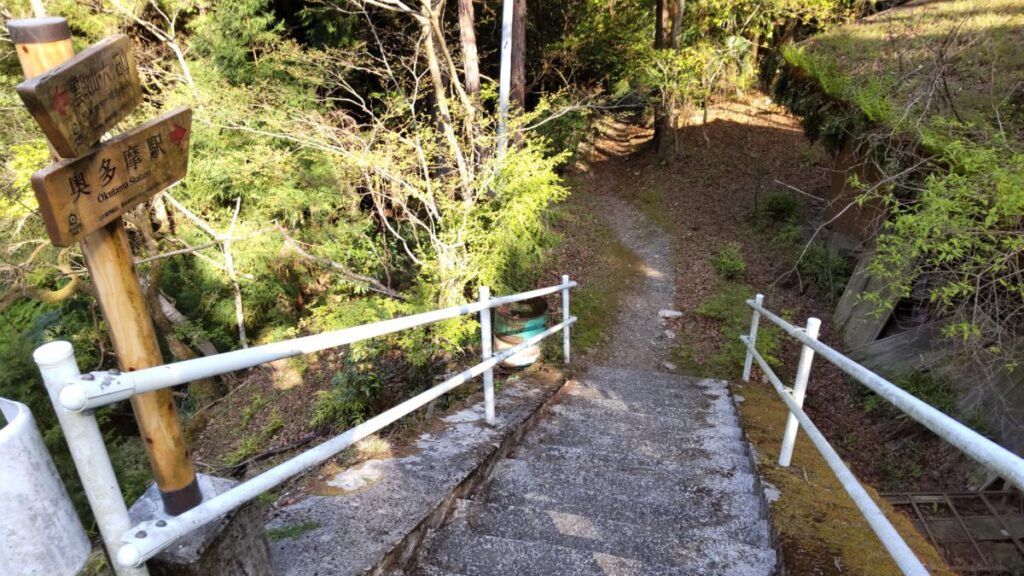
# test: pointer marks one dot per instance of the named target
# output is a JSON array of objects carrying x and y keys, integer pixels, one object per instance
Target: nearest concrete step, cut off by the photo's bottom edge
[{"x": 459, "y": 550}]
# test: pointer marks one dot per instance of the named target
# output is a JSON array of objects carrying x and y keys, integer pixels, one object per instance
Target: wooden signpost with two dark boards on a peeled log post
[{"x": 76, "y": 101}]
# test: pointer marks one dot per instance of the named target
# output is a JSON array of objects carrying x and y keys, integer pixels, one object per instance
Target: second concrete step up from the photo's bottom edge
[{"x": 707, "y": 550}]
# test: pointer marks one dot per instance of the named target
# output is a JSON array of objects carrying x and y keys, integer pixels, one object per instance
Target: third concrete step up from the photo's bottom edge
[{"x": 668, "y": 510}]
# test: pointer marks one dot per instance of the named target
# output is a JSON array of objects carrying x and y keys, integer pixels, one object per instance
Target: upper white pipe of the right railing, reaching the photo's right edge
[{"x": 979, "y": 448}]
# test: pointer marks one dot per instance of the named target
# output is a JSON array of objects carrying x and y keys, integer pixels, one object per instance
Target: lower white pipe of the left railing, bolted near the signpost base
[{"x": 156, "y": 536}]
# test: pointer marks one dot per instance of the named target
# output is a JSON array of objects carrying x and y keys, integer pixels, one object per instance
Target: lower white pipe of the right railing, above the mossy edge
[{"x": 891, "y": 540}]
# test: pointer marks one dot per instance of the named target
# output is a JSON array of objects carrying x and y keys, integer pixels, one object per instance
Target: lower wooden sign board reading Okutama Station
[{"x": 79, "y": 196}]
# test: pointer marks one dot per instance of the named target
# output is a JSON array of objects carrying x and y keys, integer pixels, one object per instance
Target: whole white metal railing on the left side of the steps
[{"x": 75, "y": 396}]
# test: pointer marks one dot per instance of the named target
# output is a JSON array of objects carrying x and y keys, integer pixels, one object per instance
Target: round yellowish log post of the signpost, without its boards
[{"x": 42, "y": 45}]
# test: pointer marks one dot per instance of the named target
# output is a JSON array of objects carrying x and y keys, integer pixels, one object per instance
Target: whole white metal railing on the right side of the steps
[{"x": 985, "y": 451}]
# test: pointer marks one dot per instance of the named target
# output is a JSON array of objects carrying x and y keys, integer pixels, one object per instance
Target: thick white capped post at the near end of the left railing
[{"x": 57, "y": 363}]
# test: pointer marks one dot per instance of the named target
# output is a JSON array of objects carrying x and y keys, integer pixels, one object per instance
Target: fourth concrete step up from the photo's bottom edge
[{"x": 638, "y": 481}]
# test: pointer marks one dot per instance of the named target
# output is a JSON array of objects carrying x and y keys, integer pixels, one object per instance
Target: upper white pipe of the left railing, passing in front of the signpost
[{"x": 84, "y": 395}]
